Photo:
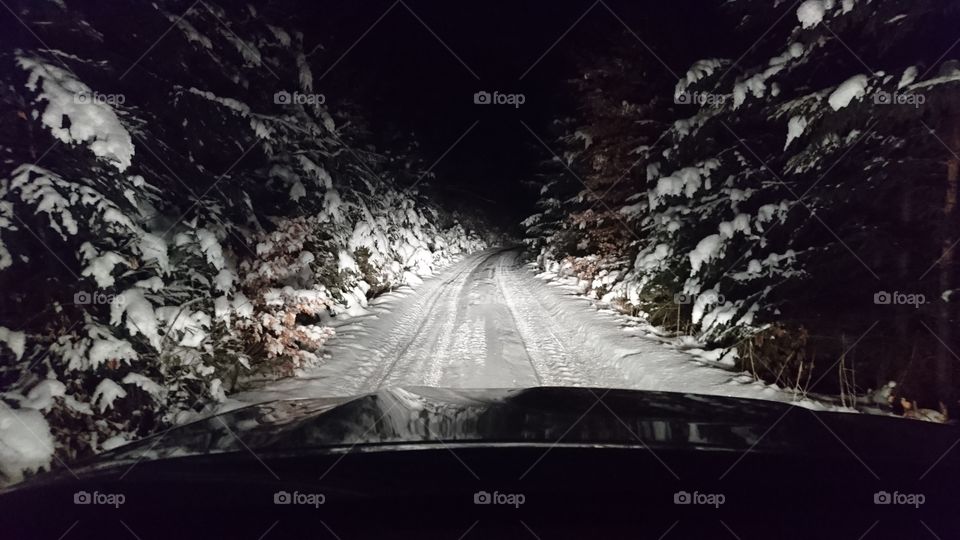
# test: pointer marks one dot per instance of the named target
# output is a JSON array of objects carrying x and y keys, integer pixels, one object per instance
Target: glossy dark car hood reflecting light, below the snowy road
[{"x": 410, "y": 418}]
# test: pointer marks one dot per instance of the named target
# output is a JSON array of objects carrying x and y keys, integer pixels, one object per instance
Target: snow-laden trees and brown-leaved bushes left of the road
[{"x": 170, "y": 229}]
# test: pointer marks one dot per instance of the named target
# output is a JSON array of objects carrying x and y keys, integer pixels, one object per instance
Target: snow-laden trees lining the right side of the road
[{"x": 762, "y": 204}]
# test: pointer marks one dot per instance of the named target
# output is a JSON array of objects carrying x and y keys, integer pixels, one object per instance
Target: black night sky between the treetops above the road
[{"x": 404, "y": 77}]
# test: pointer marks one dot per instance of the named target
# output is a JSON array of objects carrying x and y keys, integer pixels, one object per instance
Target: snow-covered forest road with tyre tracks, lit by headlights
[{"x": 489, "y": 322}]
